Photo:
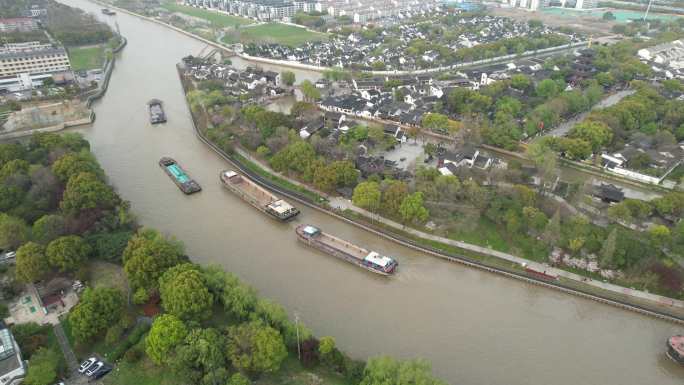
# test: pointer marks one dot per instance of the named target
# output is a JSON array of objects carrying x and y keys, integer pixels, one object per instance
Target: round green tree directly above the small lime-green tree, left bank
[{"x": 184, "y": 293}]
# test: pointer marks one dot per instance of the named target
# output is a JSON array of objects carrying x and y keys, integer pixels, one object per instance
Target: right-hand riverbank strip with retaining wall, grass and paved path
[{"x": 471, "y": 255}]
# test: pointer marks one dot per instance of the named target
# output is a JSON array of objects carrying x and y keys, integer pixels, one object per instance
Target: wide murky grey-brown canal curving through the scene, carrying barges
[{"x": 475, "y": 327}]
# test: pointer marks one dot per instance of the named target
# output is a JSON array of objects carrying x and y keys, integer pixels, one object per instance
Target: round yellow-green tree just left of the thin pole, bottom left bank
[{"x": 255, "y": 347}]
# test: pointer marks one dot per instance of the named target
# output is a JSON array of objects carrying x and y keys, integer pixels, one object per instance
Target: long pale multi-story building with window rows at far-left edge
[{"x": 32, "y": 58}]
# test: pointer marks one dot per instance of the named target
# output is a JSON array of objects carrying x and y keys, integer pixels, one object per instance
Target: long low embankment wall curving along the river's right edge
[{"x": 432, "y": 251}]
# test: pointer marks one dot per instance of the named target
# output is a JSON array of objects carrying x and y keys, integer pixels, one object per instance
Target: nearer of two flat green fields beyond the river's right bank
[{"x": 275, "y": 33}]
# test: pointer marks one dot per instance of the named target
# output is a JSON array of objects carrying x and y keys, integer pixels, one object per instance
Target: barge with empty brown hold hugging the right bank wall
[{"x": 257, "y": 196}]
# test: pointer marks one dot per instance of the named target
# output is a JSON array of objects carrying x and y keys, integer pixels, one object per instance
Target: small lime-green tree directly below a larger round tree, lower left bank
[{"x": 166, "y": 334}]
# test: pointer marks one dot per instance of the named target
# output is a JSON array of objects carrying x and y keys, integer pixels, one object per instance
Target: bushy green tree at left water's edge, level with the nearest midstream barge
[{"x": 147, "y": 256}]
